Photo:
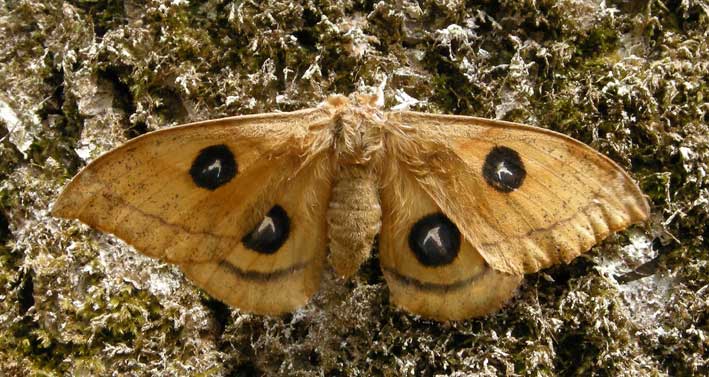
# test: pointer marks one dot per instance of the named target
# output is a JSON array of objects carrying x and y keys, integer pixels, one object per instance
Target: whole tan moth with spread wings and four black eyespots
[{"x": 253, "y": 208}]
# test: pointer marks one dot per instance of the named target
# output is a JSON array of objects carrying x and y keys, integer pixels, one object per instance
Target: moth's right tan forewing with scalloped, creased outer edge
[{"x": 524, "y": 197}]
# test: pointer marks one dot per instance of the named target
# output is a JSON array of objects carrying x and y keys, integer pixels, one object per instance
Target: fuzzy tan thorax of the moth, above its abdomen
[{"x": 357, "y": 128}]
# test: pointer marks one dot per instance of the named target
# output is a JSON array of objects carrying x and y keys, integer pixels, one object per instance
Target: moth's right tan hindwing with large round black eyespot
[{"x": 430, "y": 268}]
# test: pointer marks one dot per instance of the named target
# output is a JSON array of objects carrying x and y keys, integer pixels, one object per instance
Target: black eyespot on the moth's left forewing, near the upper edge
[{"x": 213, "y": 167}]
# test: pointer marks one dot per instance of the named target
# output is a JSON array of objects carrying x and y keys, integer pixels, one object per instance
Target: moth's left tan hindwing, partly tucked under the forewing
[{"x": 255, "y": 277}]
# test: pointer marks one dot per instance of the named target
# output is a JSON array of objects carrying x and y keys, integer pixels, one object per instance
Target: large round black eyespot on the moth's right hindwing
[{"x": 435, "y": 240}]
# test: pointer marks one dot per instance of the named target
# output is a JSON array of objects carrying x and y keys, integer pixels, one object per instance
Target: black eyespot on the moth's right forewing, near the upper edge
[{"x": 503, "y": 169}]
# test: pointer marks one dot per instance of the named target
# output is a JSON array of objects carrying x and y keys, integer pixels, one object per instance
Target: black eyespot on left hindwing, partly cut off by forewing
[{"x": 271, "y": 233}]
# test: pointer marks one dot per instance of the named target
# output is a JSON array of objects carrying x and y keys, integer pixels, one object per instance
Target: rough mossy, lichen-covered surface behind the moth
[{"x": 79, "y": 77}]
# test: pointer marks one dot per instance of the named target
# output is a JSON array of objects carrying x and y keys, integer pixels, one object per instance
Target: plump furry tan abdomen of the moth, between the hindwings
[{"x": 354, "y": 218}]
